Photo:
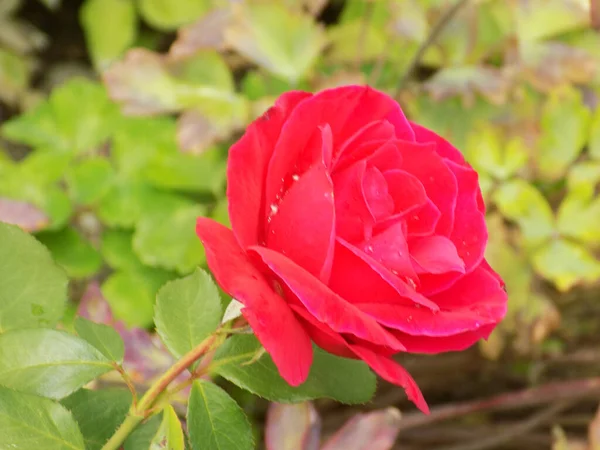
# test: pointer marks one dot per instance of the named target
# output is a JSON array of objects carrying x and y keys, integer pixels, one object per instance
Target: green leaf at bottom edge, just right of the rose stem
[{"x": 215, "y": 421}]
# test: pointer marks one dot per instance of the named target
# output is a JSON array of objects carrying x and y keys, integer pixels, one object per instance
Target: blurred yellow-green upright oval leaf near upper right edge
[{"x": 564, "y": 132}]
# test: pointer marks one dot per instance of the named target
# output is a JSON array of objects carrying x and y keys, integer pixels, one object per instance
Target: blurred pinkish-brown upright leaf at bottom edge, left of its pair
[{"x": 292, "y": 427}]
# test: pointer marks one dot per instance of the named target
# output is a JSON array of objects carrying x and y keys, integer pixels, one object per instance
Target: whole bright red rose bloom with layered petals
[{"x": 355, "y": 229}]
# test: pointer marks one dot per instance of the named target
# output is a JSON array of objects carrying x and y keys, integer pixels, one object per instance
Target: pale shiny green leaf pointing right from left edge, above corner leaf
[{"x": 54, "y": 365}]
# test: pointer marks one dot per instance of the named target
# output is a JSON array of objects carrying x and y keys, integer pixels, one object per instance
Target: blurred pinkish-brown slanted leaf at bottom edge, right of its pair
[{"x": 373, "y": 431}]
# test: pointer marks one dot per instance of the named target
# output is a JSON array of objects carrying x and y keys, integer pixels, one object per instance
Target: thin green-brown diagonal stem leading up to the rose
[{"x": 140, "y": 412}]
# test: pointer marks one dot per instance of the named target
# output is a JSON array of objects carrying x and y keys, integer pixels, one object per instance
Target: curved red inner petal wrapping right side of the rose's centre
[{"x": 438, "y": 180}]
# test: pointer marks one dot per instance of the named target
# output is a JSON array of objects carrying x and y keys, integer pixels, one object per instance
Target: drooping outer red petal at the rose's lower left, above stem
[{"x": 268, "y": 314}]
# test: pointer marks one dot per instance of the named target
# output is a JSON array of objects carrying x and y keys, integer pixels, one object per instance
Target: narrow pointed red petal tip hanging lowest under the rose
[{"x": 393, "y": 372}]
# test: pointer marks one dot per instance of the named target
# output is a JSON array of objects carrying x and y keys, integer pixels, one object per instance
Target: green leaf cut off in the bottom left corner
[{"x": 32, "y": 422}]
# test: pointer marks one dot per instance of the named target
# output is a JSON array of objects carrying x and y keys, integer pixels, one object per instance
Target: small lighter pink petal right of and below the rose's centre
[{"x": 435, "y": 254}]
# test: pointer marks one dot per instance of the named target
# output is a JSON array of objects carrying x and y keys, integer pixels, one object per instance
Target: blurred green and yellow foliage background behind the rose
[{"x": 116, "y": 116}]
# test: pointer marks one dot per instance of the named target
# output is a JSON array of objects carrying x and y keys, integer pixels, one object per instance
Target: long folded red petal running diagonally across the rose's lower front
[{"x": 323, "y": 303}]
